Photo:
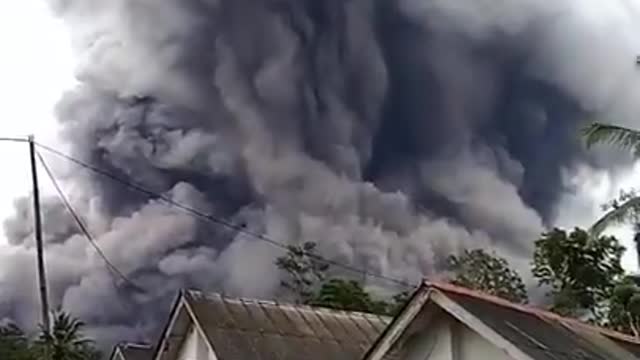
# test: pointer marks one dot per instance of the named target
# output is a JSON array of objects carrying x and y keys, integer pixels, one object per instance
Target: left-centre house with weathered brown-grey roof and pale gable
[{"x": 211, "y": 327}]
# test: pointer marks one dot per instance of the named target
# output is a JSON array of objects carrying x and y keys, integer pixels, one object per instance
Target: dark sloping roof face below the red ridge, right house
[{"x": 540, "y": 334}]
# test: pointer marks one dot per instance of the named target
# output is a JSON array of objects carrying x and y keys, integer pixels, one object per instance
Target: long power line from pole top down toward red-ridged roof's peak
[{"x": 218, "y": 221}]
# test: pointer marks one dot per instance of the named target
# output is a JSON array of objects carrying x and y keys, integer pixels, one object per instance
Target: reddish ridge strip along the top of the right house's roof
[{"x": 529, "y": 309}]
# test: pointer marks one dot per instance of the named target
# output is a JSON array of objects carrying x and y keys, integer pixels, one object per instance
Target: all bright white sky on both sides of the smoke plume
[{"x": 37, "y": 67}]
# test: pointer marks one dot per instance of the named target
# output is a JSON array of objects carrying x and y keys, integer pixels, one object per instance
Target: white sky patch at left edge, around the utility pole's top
[{"x": 36, "y": 68}]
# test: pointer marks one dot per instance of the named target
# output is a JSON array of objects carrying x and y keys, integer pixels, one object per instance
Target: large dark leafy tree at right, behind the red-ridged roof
[{"x": 582, "y": 271}]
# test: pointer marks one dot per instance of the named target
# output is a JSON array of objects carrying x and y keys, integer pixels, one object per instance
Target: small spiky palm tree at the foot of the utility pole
[{"x": 65, "y": 340}]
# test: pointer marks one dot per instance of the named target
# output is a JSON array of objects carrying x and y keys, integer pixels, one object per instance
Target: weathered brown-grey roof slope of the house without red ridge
[{"x": 264, "y": 330}]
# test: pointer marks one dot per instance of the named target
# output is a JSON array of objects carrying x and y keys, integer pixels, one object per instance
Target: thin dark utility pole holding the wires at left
[{"x": 42, "y": 279}]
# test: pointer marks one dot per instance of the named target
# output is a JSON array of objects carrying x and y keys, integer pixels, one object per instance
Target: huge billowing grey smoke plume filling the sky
[{"x": 392, "y": 133}]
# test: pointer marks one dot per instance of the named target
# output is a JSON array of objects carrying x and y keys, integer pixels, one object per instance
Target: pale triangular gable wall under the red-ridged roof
[{"x": 448, "y": 339}]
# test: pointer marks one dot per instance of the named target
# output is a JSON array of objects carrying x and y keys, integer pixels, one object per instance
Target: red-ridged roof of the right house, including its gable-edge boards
[{"x": 535, "y": 333}]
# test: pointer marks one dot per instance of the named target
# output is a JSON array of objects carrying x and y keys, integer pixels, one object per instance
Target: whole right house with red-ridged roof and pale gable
[{"x": 444, "y": 322}]
